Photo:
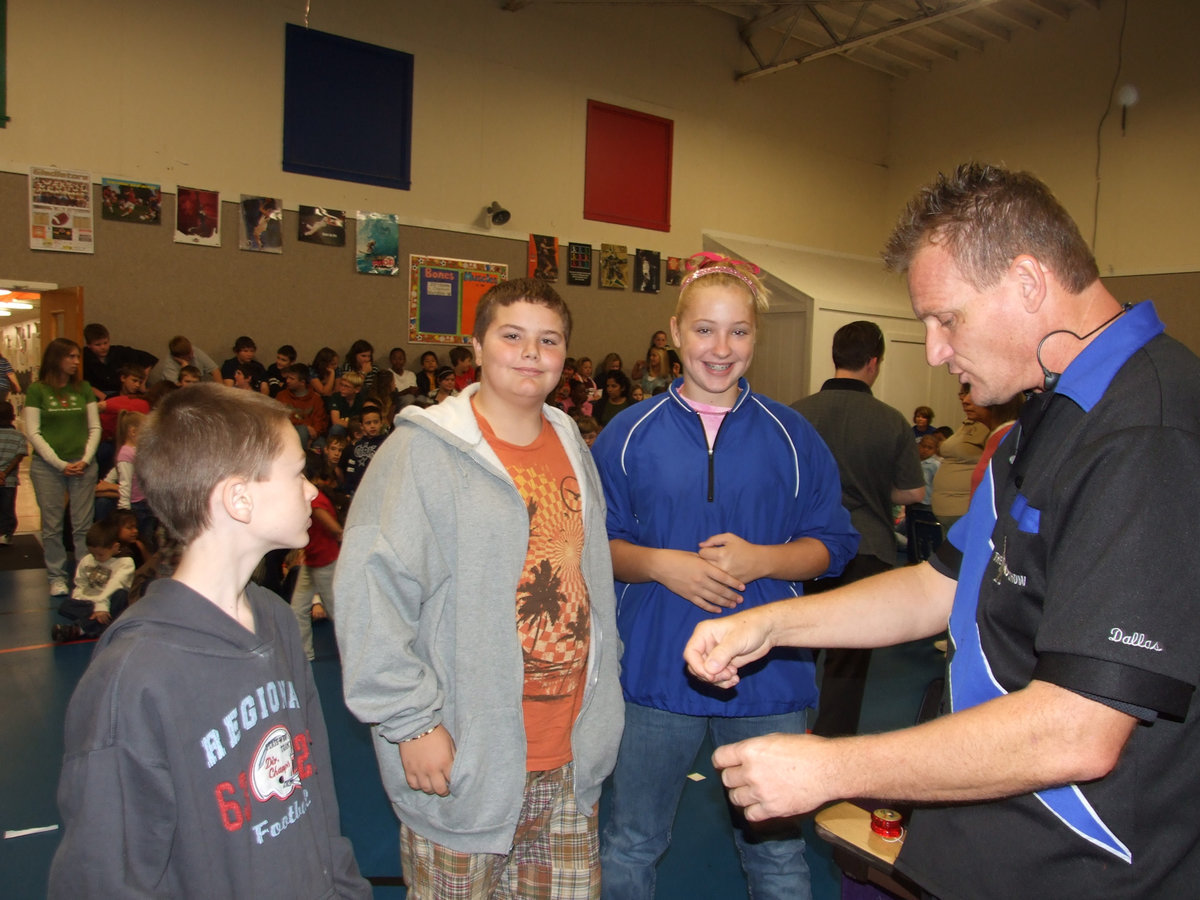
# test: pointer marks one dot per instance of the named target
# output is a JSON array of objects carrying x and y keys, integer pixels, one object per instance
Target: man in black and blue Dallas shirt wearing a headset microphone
[{"x": 1069, "y": 764}]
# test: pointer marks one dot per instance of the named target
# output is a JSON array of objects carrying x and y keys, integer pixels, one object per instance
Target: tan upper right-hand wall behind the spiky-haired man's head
[{"x": 1037, "y": 105}]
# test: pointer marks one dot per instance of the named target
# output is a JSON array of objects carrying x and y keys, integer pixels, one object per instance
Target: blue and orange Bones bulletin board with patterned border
[{"x": 443, "y": 296}]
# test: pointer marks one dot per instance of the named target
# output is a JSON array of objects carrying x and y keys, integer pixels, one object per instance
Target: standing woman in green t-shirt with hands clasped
[{"x": 63, "y": 425}]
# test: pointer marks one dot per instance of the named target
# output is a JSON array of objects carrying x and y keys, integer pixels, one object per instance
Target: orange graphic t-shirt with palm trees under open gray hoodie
[{"x": 553, "y": 611}]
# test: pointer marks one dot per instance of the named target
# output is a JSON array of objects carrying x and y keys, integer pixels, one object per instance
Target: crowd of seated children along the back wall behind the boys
[{"x": 327, "y": 398}]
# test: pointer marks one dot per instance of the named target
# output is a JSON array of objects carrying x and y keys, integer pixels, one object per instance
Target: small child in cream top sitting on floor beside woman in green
[{"x": 101, "y": 589}]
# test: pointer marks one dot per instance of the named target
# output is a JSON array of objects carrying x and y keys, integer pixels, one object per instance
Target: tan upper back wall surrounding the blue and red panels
[{"x": 191, "y": 93}]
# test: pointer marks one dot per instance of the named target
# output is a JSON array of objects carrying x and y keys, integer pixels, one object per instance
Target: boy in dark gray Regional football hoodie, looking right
[{"x": 197, "y": 763}]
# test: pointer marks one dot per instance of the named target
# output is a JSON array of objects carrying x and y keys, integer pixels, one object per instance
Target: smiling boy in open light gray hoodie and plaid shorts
[{"x": 477, "y": 621}]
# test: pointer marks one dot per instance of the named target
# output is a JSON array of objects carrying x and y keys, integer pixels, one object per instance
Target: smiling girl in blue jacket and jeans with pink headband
[{"x": 718, "y": 499}]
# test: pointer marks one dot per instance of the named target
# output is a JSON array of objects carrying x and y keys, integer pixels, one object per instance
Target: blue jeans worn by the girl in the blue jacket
[{"x": 657, "y": 753}]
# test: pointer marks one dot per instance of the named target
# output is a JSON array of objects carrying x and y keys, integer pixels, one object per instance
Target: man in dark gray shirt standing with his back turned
[{"x": 879, "y": 465}]
